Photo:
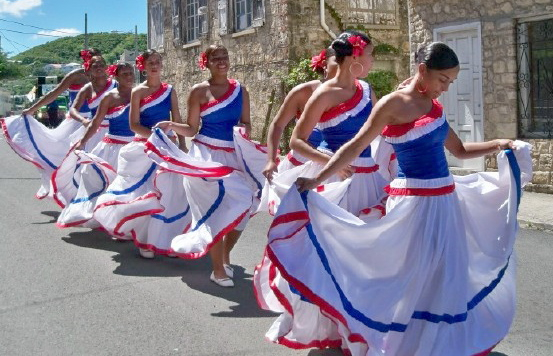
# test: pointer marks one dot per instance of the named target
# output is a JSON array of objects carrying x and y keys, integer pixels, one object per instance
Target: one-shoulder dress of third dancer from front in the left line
[{"x": 82, "y": 177}]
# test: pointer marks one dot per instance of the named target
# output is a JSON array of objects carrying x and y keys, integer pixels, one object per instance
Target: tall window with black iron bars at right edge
[{"x": 535, "y": 79}]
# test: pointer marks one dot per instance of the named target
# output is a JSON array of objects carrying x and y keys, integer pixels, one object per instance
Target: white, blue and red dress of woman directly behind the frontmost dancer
[{"x": 302, "y": 324}]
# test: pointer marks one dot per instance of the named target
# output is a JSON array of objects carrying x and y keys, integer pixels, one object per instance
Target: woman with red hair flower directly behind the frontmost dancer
[{"x": 339, "y": 108}]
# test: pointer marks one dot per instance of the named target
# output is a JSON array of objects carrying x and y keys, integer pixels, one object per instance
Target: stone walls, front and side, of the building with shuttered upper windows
[{"x": 262, "y": 56}]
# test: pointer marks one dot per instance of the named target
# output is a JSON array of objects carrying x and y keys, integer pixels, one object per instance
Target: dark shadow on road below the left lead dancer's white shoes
[{"x": 242, "y": 294}]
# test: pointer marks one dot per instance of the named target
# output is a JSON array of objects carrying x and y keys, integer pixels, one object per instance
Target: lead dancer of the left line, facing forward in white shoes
[{"x": 221, "y": 208}]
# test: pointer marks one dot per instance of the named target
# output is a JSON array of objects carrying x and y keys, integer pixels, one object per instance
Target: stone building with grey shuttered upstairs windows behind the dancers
[{"x": 266, "y": 37}]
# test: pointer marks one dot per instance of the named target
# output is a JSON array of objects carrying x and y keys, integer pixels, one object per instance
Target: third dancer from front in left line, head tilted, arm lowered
[{"x": 82, "y": 176}]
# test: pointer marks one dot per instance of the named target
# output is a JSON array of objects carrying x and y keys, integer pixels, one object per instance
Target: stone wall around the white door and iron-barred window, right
[{"x": 499, "y": 66}]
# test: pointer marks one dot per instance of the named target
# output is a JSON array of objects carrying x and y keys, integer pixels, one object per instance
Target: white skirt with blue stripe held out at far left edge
[{"x": 45, "y": 148}]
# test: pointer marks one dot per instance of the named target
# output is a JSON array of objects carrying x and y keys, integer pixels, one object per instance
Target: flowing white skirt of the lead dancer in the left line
[{"x": 219, "y": 193}]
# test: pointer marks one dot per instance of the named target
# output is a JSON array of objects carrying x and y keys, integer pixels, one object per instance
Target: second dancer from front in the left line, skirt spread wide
[{"x": 144, "y": 203}]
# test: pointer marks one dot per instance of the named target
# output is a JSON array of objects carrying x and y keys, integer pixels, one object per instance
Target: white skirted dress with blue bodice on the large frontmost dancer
[{"x": 434, "y": 276}]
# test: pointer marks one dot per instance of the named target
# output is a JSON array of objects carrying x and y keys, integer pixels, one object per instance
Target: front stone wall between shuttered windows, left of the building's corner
[{"x": 258, "y": 57}]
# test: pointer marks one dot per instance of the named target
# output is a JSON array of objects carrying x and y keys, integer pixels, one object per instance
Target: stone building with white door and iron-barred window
[{"x": 505, "y": 87}]
